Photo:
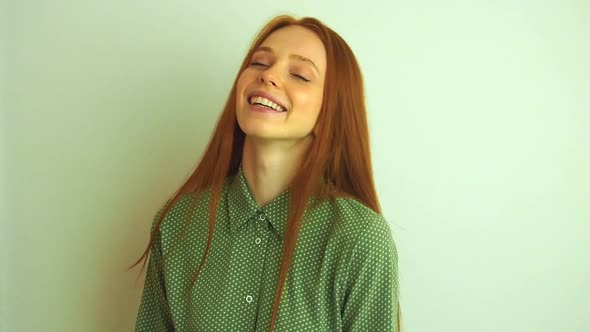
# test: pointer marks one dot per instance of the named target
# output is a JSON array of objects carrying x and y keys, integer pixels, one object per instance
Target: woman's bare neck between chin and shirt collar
[{"x": 269, "y": 166}]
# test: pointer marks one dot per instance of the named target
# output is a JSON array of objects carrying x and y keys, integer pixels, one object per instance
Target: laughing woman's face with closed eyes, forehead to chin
[{"x": 286, "y": 73}]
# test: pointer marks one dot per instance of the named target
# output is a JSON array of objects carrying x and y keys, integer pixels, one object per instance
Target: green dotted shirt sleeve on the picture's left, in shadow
[{"x": 154, "y": 313}]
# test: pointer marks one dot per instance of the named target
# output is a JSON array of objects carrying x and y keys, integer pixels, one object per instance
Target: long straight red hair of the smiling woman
[{"x": 338, "y": 162}]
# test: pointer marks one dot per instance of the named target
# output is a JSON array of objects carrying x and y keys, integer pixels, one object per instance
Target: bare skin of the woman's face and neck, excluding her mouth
[{"x": 276, "y": 142}]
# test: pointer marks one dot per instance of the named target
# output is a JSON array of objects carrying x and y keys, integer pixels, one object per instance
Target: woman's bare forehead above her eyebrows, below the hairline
[{"x": 297, "y": 40}]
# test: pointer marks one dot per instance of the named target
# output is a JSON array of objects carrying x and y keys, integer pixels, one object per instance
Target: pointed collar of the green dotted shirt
[{"x": 242, "y": 206}]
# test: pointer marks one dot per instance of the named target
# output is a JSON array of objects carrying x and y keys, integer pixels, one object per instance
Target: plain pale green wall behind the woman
[{"x": 480, "y": 134}]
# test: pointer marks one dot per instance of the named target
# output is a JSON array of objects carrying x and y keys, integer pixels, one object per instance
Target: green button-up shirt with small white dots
[{"x": 343, "y": 276}]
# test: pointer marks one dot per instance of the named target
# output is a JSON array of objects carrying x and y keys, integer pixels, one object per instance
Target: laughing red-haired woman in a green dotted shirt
[{"x": 294, "y": 240}]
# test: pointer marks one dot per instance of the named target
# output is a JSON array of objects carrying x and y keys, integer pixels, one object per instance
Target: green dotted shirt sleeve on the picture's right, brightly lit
[{"x": 372, "y": 299}]
